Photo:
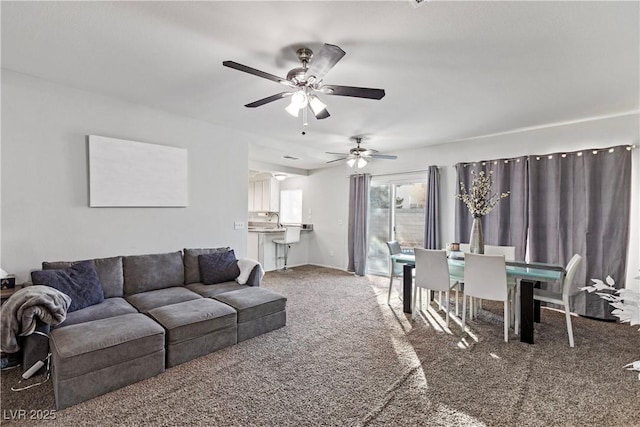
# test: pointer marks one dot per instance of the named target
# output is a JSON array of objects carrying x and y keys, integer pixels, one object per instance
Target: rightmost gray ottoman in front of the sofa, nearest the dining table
[{"x": 259, "y": 310}]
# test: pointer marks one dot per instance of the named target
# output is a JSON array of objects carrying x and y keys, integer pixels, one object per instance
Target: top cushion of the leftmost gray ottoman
[{"x": 91, "y": 346}]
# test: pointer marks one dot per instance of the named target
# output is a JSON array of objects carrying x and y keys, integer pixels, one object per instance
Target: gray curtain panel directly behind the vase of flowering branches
[{"x": 507, "y": 223}]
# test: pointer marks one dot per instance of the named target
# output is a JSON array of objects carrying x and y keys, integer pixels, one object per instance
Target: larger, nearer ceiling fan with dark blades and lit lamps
[{"x": 306, "y": 81}]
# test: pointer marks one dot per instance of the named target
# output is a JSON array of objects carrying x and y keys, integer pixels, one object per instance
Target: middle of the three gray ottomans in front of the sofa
[{"x": 195, "y": 328}]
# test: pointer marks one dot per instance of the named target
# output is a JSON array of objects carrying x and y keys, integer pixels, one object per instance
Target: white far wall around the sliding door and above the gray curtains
[{"x": 328, "y": 188}]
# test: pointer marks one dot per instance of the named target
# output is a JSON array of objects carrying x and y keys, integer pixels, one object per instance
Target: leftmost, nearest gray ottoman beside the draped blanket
[{"x": 100, "y": 356}]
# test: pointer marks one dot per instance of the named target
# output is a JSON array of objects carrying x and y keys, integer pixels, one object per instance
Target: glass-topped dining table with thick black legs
[{"x": 530, "y": 275}]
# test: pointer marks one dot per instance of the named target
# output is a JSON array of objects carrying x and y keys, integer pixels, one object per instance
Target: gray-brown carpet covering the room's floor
[{"x": 347, "y": 358}]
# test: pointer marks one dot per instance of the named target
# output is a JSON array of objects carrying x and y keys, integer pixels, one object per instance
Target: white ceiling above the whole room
[{"x": 451, "y": 70}]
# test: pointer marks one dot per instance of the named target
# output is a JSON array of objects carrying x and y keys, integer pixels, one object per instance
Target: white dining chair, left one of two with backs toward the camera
[{"x": 432, "y": 274}]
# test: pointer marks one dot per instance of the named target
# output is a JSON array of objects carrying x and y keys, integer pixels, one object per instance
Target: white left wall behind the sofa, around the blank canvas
[{"x": 45, "y": 209}]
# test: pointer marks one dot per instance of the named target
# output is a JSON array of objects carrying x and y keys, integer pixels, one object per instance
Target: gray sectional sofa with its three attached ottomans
[{"x": 156, "y": 313}]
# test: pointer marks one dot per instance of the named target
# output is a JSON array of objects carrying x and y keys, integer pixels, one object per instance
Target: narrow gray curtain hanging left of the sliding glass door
[{"x": 358, "y": 222}]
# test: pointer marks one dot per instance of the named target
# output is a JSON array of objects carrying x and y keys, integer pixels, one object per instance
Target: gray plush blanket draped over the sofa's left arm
[{"x": 20, "y": 312}]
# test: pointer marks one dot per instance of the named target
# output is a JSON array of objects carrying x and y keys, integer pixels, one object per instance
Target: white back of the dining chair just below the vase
[{"x": 485, "y": 276}]
